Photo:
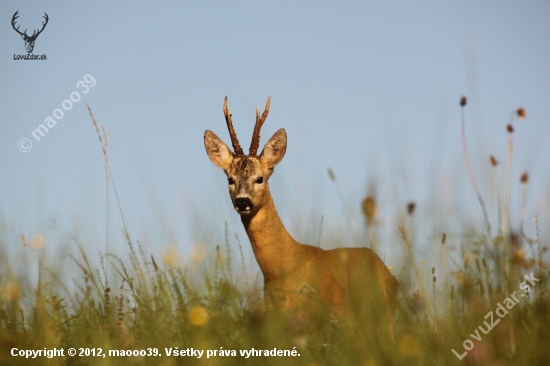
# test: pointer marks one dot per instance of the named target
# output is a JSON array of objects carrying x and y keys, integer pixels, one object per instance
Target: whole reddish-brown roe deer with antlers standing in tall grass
[{"x": 337, "y": 281}]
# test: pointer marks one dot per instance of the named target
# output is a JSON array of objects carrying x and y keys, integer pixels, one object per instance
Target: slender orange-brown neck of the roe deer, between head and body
[{"x": 272, "y": 244}]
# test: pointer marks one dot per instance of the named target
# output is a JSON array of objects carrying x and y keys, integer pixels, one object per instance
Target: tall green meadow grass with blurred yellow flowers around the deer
[{"x": 484, "y": 301}]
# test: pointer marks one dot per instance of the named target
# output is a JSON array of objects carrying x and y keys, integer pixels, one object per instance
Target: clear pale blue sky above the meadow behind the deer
[{"x": 369, "y": 89}]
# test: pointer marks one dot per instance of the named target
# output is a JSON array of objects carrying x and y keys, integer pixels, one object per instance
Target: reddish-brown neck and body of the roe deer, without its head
[{"x": 342, "y": 279}]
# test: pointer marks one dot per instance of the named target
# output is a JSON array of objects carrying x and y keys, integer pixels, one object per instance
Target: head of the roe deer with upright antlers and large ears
[{"x": 247, "y": 175}]
